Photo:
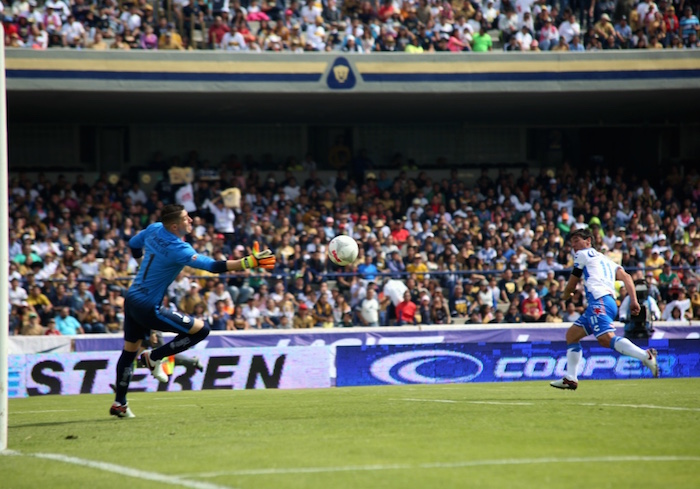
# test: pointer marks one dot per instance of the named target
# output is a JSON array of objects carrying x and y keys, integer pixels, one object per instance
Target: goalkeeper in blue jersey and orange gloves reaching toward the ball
[{"x": 165, "y": 254}]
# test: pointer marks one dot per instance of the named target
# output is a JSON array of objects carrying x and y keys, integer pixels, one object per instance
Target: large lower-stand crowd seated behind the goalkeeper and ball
[{"x": 431, "y": 252}]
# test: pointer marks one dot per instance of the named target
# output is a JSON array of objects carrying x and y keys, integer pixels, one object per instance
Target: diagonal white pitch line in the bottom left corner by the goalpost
[{"x": 121, "y": 470}]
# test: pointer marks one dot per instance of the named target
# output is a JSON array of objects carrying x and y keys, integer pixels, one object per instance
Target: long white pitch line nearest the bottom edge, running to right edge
[{"x": 448, "y": 465}]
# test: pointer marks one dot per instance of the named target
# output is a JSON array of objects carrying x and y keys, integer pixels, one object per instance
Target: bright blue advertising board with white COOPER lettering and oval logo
[{"x": 497, "y": 362}]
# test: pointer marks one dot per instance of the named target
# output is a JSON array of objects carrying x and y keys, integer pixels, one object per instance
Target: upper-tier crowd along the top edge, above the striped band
[{"x": 352, "y": 25}]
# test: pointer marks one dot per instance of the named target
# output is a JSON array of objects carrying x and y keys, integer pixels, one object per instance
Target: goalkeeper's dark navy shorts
[{"x": 140, "y": 319}]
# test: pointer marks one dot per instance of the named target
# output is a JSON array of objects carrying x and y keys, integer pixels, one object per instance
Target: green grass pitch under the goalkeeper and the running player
[{"x": 607, "y": 434}]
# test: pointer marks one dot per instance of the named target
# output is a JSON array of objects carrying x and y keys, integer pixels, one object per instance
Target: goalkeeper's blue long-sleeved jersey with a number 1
[{"x": 164, "y": 257}]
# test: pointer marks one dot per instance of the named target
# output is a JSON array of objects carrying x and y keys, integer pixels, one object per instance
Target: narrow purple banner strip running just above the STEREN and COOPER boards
[{"x": 385, "y": 336}]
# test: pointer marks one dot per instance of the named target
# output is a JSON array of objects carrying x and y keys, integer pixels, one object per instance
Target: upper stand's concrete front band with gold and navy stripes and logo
[{"x": 377, "y": 73}]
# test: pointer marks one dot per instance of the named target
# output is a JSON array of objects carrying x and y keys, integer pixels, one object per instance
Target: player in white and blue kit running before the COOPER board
[{"x": 600, "y": 274}]
